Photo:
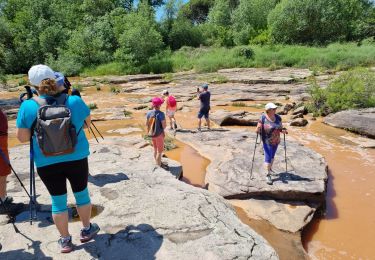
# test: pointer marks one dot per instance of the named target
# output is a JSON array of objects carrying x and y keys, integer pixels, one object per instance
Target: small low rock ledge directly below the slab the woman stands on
[{"x": 287, "y": 216}]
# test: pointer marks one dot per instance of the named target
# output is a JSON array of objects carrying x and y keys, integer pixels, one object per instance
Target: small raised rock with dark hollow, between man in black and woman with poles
[{"x": 241, "y": 118}]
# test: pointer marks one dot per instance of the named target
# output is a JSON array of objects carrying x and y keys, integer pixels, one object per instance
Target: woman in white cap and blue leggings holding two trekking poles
[{"x": 269, "y": 127}]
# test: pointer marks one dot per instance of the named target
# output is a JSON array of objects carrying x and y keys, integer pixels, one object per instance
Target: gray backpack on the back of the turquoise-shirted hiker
[{"x": 55, "y": 133}]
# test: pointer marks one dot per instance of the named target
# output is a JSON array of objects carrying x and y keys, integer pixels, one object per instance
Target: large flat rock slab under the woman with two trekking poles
[{"x": 229, "y": 173}]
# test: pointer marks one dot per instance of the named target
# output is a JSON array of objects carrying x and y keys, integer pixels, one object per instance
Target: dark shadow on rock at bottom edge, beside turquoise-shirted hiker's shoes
[{"x": 133, "y": 242}]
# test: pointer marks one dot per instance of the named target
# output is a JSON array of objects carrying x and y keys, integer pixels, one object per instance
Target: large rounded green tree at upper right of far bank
[{"x": 314, "y": 21}]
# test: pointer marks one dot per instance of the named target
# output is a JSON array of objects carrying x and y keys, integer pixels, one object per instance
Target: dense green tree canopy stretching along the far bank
[{"x": 72, "y": 35}]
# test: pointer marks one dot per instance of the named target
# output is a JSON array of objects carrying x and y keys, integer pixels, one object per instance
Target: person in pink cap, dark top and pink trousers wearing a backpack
[{"x": 156, "y": 123}]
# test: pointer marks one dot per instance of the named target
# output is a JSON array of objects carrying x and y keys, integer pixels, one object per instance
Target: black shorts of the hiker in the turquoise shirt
[{"x": 54, "y": 176}]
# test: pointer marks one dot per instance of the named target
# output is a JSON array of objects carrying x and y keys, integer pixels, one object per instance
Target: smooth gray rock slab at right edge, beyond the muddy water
[{"x": 361, "y": 121}]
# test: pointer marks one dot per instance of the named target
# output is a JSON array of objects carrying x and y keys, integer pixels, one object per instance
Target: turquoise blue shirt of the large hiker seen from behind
[{"x": 27, "y": 115}]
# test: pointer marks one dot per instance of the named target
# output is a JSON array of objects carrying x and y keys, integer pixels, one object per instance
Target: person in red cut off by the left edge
[{"x": 4, "y": 167}]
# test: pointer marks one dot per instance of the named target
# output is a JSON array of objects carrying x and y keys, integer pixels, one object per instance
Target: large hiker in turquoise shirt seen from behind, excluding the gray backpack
[{"x": 54, "y": 170}]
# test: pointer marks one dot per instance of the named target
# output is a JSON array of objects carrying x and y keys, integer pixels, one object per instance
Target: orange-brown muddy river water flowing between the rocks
[{"x": 347, "y": 230}]
